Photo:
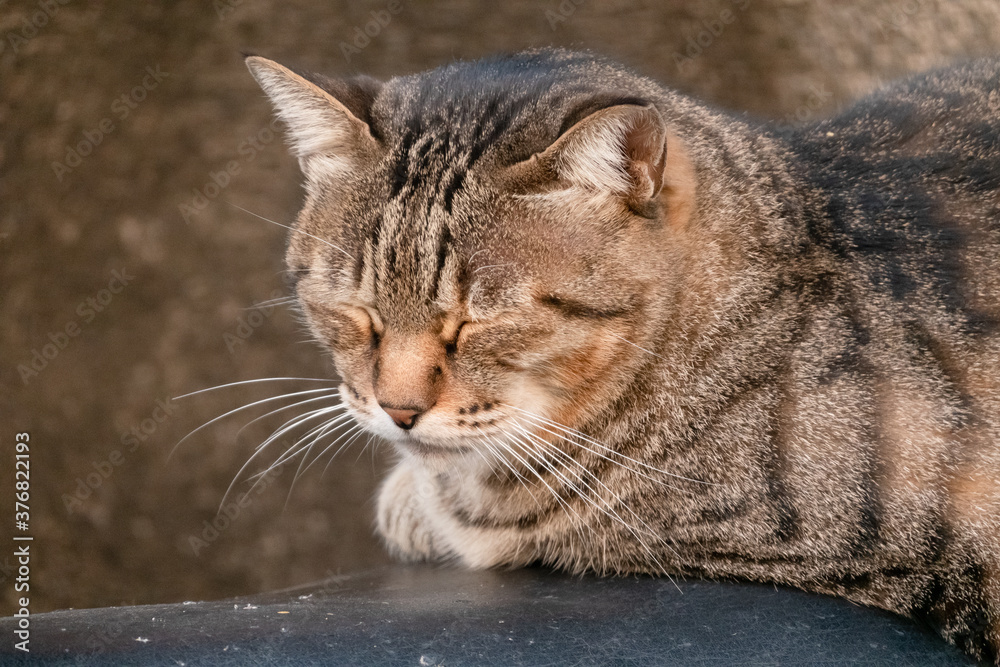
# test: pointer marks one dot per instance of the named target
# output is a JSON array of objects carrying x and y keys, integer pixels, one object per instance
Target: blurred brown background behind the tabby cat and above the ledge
[{"x": 130, "y": 132}]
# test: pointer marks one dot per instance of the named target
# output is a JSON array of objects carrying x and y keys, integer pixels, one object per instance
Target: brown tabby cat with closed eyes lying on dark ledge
[{"x": 608, "y": 328}]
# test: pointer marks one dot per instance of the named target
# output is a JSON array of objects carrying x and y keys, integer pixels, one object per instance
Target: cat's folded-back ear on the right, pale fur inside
[{"x": 621, "y": 150}]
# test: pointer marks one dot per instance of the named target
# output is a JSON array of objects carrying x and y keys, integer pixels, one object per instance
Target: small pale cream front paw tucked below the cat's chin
[{"x": 402, "y": 515}]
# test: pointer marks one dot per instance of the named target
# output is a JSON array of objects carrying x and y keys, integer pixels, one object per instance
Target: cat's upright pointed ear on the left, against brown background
[{"x": 329, "y": 131}]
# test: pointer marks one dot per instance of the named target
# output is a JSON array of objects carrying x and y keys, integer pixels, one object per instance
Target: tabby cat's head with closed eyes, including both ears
[{"x": 481, "y": 245}]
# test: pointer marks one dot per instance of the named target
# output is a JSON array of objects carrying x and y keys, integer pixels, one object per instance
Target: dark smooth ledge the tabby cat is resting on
[{"x": 432, "y": 616}]
